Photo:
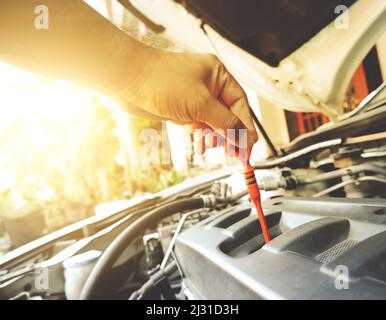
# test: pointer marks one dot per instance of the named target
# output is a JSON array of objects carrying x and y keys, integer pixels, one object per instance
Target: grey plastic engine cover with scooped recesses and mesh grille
[{"x": 322, "y": 249}]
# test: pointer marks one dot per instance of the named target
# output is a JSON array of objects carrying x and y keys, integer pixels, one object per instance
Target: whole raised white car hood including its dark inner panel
[{"x": 299, "y": 54}]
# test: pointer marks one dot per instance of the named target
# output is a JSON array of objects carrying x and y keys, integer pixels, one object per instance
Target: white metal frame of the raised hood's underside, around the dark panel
[{"x": 313, "y": 78}]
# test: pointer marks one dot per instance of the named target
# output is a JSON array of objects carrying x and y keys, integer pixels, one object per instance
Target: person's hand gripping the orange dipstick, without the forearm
[{"x": 196, "y": 90}]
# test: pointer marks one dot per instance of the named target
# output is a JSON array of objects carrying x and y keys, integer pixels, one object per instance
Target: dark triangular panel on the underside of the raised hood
[{"x": 270, "y": 30}]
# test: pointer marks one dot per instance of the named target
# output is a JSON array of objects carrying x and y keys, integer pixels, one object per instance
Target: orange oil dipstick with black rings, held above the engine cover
[{"x": 254, "y": 194}]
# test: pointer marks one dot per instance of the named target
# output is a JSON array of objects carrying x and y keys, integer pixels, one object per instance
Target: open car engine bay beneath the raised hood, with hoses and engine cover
[{"x": 325, "y": 207}]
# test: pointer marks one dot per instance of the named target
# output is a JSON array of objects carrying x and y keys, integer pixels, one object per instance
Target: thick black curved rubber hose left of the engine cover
[{"x": 94, "y": 286}]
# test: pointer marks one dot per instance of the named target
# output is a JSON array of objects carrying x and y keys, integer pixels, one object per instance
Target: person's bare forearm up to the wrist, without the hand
[{"x": 79, "y": 44}]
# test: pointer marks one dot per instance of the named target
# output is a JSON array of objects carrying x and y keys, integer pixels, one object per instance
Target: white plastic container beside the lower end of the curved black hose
[{"x": 76, "y": 270}]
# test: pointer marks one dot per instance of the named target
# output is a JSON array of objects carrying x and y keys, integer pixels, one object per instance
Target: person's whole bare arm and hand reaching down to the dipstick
[{"x": 81, "y": 45}]
